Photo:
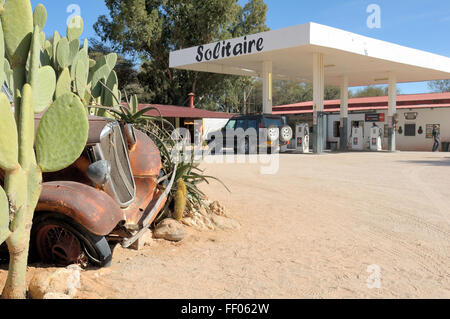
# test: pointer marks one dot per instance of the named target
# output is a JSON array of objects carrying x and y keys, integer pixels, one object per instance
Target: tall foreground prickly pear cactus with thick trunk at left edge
[{"x": 28, "y": 70}]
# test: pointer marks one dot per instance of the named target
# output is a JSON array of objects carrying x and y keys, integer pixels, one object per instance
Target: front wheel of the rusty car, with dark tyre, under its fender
[{"x": 61, "y": 241}]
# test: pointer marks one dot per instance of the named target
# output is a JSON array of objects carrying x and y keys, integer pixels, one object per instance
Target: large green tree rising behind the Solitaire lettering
[{"x": 151, "y": 29}]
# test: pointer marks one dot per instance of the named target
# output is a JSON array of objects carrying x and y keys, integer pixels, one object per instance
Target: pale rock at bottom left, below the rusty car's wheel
[{"x": 61, "y": 282}]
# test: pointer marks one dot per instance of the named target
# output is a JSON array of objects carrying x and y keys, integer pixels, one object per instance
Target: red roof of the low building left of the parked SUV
[{"x": 183, "y": 112}]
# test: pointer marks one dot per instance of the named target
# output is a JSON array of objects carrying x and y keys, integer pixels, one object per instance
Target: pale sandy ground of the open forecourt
[{"x": 309, "y": 231}]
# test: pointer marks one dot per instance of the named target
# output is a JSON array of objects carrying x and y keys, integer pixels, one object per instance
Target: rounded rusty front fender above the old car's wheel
[{"x": 90, "y": 207}]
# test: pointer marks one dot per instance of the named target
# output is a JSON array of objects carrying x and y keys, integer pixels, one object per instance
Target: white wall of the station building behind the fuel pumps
[{"x": 404, "y": 143}]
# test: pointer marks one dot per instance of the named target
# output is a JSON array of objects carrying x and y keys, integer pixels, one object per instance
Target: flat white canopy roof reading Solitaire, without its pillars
[{"x": 364, "y": 60}]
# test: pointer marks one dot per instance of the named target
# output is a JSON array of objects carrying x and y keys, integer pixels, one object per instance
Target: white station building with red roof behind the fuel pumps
[{"x": 417, "y": 115}]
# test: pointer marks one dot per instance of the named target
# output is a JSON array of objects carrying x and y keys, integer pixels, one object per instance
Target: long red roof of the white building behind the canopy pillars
[{"x": 405, "y": 101}]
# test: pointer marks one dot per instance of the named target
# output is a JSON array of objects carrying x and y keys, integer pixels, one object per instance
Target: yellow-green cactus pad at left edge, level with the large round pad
[{"x": 9, "y": 149}]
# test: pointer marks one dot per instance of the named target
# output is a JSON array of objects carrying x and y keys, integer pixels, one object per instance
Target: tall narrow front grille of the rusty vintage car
[{"x": 112, "y": 148}]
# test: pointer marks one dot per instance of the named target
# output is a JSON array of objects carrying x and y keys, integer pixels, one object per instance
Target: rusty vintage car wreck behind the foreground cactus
[{"x": 110, "y": 195}]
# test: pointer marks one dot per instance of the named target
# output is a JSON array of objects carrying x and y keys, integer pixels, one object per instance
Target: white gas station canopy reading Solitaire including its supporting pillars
[{"x": 324, "y": 56}]
